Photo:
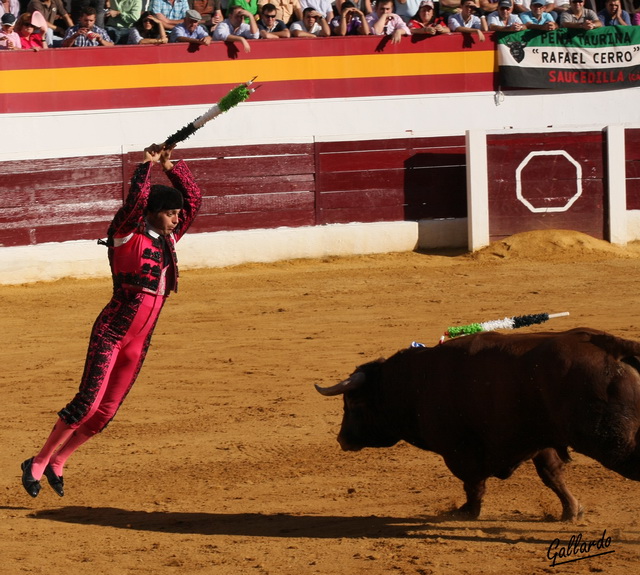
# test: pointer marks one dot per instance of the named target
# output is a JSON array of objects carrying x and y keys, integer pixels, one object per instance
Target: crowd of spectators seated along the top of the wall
[{"x": 39, "y": 24}]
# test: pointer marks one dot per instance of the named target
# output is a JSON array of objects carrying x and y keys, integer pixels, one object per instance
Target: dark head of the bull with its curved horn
[{"x": 363, "y": 423}]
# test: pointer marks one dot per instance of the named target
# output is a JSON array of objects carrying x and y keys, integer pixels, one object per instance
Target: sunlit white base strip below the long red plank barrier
[{"x": 87, "y": 259}]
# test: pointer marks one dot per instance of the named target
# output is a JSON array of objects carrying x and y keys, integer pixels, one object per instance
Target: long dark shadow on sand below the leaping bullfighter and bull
[{"x": 310, "y": 526}]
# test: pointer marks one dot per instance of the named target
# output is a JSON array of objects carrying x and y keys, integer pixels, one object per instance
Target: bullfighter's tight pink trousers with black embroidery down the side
[{"x": 117, "y": 348}]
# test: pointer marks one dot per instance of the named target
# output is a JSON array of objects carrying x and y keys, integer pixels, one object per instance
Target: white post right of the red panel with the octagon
[{"x": 616, "y": 185}]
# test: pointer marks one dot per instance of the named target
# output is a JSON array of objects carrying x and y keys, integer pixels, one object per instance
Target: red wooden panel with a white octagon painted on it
[{"x": 547, "y": 182}]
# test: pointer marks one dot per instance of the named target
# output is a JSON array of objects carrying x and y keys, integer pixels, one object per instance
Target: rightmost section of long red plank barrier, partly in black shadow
[{"x": 391, "y": 180}]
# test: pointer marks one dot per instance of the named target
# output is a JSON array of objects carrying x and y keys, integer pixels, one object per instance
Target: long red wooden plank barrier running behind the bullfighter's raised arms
[{"x": 245, "y": 187}]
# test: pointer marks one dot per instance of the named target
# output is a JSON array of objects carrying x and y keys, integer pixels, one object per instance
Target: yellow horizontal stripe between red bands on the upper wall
[{"x": 237, "y": 71}]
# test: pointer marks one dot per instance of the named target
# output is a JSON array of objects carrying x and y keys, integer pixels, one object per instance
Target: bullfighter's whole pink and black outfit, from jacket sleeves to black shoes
[{"x": 144, "y": 268}]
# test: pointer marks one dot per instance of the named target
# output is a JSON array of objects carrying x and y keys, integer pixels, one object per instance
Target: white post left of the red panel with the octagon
[{"x": 477, "y": 189}]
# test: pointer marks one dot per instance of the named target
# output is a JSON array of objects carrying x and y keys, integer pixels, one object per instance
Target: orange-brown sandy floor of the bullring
[{"x": 224, "y": 460}]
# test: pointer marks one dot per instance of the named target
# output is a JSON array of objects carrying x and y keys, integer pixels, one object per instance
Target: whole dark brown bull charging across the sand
[{"x": 488, "y": 402}]
